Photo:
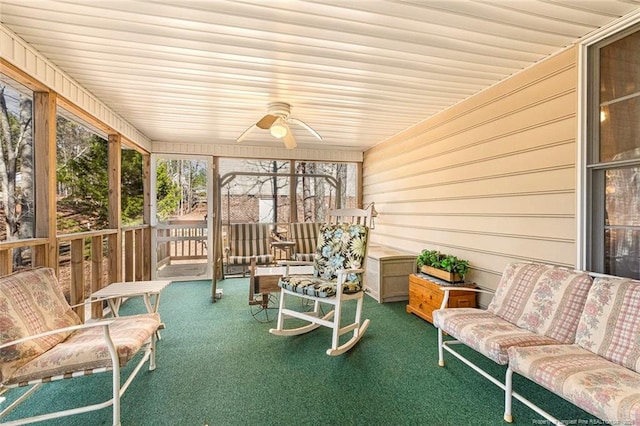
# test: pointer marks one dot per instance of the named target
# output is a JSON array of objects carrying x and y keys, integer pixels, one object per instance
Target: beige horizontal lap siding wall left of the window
[{"x": 491, "y": 180}]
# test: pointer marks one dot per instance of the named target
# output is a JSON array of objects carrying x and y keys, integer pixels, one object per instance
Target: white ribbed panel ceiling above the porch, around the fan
[{"x": 357, "y": 71}]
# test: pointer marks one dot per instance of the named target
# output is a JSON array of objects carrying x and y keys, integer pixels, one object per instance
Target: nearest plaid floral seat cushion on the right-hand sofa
[{"x": 603, "y": 388}]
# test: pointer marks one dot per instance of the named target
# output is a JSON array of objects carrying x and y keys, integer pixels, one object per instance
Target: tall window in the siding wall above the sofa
[{"x": 613, "y": 165}]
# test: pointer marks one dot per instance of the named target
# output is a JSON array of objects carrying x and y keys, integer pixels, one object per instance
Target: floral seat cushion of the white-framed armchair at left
[{"x": 85, "y": 349}]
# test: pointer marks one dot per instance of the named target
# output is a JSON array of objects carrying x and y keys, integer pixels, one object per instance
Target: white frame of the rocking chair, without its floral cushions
[{"x": 331, "y": 319}]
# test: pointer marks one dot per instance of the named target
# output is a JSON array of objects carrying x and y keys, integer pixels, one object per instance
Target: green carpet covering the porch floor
[{"x": 217, "y": 365}]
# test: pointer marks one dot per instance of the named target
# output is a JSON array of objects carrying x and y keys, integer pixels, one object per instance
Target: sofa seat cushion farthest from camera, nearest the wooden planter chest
[{"x": 488, "y": 334}]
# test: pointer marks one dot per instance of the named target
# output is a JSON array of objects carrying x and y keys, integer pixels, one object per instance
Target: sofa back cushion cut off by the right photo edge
[{"x": 610, "y": 323}]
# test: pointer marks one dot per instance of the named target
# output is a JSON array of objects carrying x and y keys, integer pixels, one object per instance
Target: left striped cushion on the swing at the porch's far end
[{"x": 247, "y": 240}]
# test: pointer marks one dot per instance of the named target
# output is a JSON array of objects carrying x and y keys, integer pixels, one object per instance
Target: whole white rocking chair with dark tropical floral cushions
[{"x": 337, "y": 278}]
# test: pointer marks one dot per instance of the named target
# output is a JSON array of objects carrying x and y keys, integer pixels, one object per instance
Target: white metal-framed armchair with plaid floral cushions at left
[{"x": 42, "y": 339}]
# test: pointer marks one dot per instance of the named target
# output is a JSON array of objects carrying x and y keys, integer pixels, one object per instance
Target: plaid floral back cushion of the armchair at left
[{"x": 31, "y": 302}]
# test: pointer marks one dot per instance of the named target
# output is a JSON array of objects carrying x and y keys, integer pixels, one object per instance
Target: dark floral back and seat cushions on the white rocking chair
[{"x": 341, "y": 246}]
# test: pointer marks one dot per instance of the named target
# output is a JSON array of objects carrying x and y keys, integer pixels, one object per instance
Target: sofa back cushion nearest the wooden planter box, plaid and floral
[{"x": 543, "y": 299}]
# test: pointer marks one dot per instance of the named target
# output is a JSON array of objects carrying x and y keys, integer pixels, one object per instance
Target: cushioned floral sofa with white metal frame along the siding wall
[{"x": 574, "y": 335}]
